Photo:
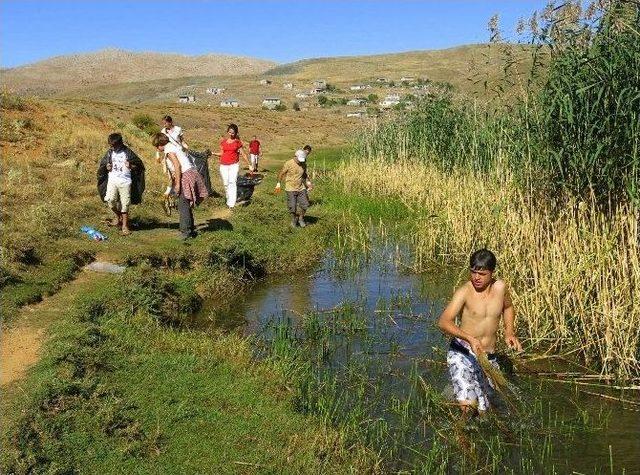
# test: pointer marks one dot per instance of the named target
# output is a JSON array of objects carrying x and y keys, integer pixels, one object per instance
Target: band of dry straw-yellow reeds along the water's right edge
[{"x": 575, "y": 273}]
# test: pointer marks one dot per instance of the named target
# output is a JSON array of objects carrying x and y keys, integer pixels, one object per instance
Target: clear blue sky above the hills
[{"x": 282, "y": 31}]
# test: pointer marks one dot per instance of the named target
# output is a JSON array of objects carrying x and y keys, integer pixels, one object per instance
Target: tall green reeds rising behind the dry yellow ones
[{"x": 574, "y": 129}]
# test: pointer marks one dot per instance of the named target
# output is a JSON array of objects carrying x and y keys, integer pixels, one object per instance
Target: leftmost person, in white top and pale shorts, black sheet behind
[{"x": 120, "y": 180}]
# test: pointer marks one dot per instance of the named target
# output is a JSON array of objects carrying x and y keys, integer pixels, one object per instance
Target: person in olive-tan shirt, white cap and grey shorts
[{"x": 296, "y": 183}]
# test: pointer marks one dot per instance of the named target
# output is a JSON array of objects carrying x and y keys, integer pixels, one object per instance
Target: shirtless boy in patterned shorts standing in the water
[{"x": 481, "y": 302}]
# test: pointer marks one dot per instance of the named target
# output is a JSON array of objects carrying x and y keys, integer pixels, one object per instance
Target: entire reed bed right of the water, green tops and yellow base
[{"x": 548, "y": 178}]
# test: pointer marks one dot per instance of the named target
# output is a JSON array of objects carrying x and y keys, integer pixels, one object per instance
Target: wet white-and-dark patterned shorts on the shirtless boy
[{"x": 470, "y": 384}]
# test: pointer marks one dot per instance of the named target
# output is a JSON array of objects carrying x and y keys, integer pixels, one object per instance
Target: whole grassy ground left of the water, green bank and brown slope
[{"x": 121, "y": 384}]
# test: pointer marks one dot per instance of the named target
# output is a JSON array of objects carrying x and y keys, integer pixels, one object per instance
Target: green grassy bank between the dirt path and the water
[{"x": 124, "y": 385}]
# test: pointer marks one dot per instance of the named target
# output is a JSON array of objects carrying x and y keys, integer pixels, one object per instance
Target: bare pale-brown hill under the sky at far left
[{"x": 112, "y": 66}]
